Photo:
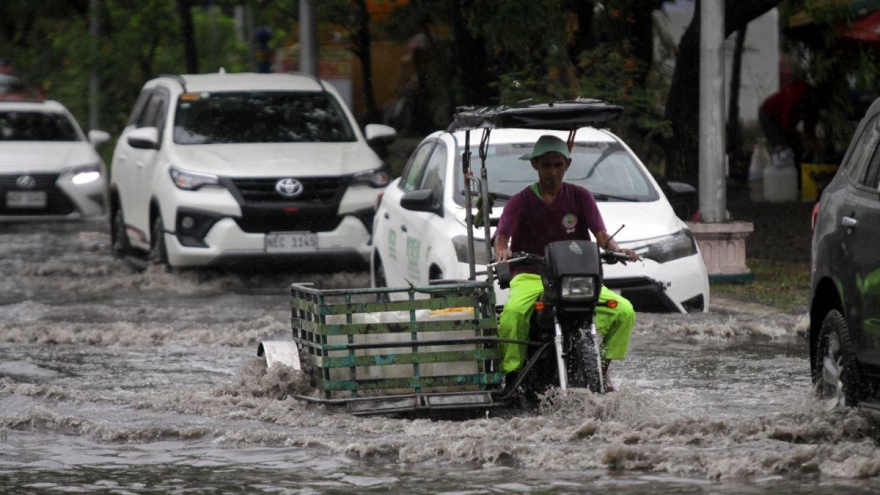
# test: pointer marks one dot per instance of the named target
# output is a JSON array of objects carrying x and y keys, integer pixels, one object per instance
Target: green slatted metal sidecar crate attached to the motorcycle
[{"x": 440, "y": 341}]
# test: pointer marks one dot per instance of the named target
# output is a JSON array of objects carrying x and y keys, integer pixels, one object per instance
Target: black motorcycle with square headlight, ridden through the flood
[{"x": 564, "y": 345}]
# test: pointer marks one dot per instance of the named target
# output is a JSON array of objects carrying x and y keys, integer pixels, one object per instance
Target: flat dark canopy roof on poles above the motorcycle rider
[{"x": 563, "y": 116}]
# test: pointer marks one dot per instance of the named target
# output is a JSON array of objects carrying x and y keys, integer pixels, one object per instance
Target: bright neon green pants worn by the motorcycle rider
[{"x": 615, "y": 325}]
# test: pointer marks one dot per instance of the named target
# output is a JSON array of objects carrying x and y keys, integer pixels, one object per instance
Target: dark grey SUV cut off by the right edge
[{"x": 845, "y": 289}]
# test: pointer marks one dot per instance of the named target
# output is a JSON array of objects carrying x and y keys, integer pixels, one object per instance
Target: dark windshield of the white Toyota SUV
[{"x": 260, "y": 117}]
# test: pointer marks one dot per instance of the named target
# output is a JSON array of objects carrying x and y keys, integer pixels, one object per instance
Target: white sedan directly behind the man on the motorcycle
[{"x": 420, "y": 234}]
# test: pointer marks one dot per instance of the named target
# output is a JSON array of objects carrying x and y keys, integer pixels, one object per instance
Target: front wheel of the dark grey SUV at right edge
[{"x": 838, "y": 381}]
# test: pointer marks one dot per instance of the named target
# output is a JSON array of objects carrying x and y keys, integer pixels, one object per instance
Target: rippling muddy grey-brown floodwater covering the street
[{"x": 117, "y": 381}]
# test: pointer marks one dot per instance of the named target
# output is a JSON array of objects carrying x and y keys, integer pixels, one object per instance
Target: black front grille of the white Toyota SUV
[{"x": 265, "y": 210}]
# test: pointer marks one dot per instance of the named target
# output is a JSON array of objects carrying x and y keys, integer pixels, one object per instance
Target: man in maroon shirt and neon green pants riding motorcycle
[{"x": 552, "y": 210}]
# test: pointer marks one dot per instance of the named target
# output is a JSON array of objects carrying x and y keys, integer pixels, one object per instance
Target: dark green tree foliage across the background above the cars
[{"x": 482, "y": 52}]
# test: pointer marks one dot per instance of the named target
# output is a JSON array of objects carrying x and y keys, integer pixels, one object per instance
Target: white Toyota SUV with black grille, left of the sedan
[{"x": 219, "y": 169}]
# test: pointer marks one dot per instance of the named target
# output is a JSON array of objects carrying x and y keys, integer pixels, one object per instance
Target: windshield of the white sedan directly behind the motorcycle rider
[{"x": 606, "y": 169}]
